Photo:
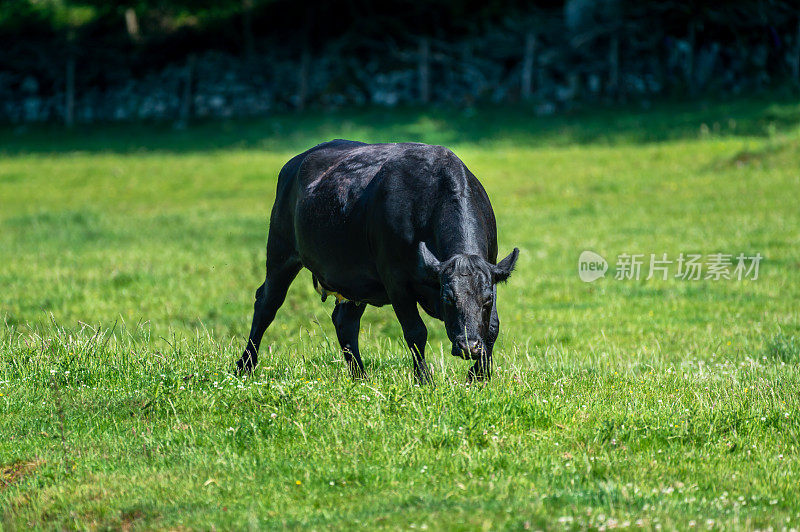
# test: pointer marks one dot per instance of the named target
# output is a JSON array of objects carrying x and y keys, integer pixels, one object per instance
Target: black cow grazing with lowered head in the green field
[{"x": 387, "y": 223}]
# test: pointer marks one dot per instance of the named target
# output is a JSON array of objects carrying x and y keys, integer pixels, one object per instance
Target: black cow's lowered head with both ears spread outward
[{"x": 467, "y": 296}]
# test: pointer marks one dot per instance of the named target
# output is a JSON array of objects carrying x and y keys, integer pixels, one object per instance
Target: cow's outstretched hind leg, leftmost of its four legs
[{"x": 282, "y": 267}]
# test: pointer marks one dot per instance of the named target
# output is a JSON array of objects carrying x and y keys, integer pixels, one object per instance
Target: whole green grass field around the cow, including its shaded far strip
[{"x": 130, "y": 256}]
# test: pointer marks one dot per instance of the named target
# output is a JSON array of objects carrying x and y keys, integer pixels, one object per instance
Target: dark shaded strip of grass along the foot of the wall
[{"x": 491, "y": 126}]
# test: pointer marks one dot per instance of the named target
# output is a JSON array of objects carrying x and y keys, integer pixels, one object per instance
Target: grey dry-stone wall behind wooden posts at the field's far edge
[{"x": 461, "y": 73}]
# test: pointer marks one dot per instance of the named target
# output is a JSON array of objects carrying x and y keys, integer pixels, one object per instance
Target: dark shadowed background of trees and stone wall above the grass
[{"x": 105, "y": 60}]
